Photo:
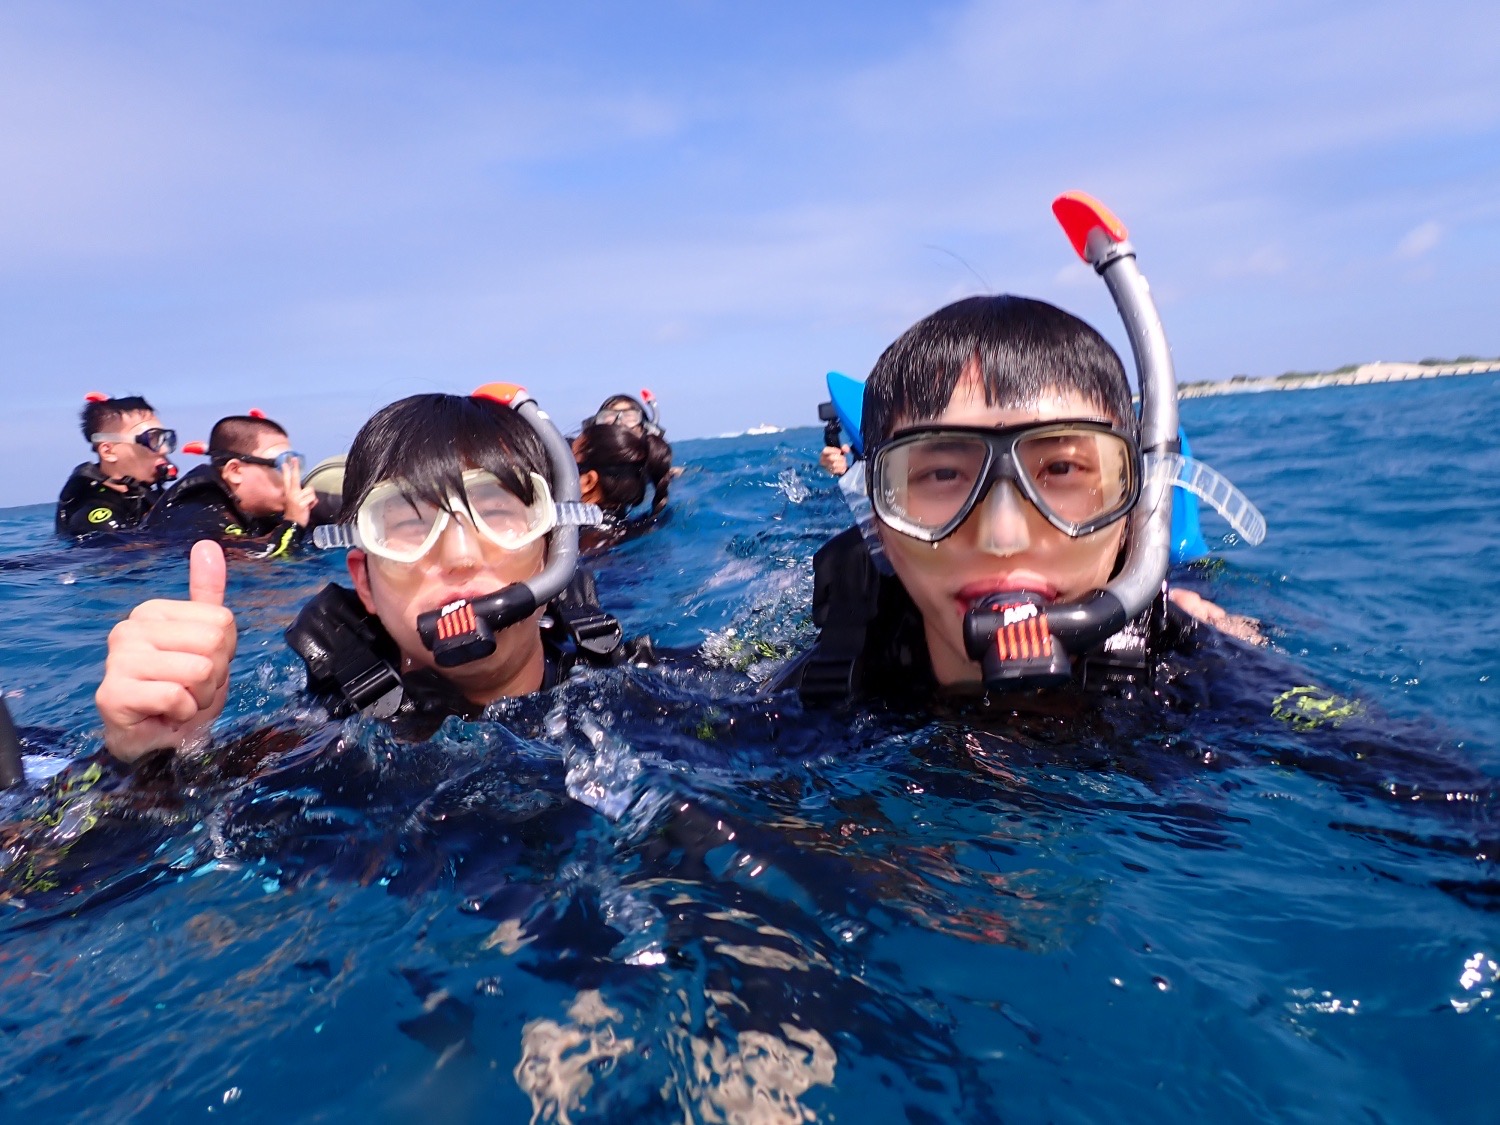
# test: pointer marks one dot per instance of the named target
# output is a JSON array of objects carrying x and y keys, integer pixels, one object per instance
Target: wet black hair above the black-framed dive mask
[{"x": 1024, "y": 350}]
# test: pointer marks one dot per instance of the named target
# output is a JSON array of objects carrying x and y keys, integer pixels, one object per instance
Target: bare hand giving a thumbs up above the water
[{"x": 169, "y": 667}]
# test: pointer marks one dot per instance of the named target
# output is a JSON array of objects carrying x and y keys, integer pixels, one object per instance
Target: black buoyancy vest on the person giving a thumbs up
[{"x": 353, "y": 662}]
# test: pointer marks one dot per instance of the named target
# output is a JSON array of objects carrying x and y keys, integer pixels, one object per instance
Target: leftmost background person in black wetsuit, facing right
[{"x": 116, "y": 491}]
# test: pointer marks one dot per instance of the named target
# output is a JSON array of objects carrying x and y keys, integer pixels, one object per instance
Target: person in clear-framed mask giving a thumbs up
[{"x": 457, "y": 548}]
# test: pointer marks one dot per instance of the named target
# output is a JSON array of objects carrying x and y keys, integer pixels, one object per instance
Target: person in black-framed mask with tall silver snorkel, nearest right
[{"x": 1004, "y": 464}]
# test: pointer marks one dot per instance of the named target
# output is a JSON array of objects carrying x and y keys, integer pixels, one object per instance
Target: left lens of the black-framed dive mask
[{"x": 928, "y": 482}]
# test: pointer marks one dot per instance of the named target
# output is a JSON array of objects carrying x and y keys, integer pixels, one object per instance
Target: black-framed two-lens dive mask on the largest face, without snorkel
[{"x": 1081, "y": 475}]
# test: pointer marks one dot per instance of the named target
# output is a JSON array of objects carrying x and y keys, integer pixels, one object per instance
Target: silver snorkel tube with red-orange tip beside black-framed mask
[{"x": 1019, "y": 638}]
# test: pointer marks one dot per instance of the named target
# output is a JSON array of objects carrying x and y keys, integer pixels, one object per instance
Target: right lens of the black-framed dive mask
[{"x": 1078, "y": 476}]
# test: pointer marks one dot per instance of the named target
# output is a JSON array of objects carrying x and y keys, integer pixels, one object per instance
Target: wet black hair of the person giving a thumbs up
[{"x": 427, "y": 443}]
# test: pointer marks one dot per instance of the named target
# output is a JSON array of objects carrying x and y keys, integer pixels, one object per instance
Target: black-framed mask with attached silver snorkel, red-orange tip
[{"x": 1019, "y": 638}]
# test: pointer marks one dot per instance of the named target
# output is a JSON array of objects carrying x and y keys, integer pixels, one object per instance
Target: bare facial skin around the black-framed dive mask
[{"x": 1006, "y": 544}]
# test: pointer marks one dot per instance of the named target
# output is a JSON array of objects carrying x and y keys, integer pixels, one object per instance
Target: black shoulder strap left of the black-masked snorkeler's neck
[{"x": 847, "y": 596}]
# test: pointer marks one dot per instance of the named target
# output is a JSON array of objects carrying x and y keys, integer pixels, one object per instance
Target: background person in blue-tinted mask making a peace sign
[{"x": 250, "y": 493}]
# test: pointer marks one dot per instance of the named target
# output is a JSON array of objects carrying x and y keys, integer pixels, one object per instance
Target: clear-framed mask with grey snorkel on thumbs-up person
[{"x": 392, "y": 527}]
